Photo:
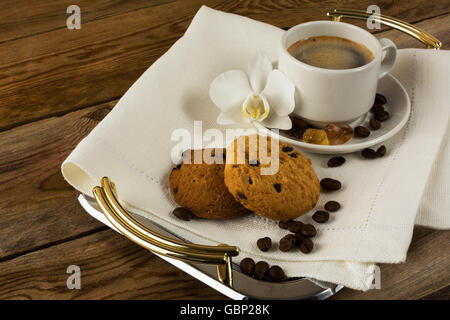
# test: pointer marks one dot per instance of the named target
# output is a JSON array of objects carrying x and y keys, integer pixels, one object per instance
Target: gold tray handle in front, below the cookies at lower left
[{"x": 106, "y": 197}]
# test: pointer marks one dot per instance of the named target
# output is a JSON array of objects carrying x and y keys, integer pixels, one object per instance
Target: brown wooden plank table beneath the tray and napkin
[{"x": 57, "y": 84}]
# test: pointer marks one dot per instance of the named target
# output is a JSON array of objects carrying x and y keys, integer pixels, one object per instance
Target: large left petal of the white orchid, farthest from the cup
[{"x": 229, "y": 89}]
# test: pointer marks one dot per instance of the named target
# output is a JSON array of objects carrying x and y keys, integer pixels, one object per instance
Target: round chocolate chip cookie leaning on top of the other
[{"x": 279, "y": 184}]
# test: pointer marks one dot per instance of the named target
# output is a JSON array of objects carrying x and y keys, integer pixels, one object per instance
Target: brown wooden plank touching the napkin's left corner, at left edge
[{"x": 37, "y": 206}]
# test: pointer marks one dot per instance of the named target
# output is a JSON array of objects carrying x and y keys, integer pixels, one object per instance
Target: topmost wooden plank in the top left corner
[{"x": 19, "y": 19}]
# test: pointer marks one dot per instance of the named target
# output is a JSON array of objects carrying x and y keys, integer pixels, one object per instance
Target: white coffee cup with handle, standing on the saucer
[{"x": 327, "y": 95}]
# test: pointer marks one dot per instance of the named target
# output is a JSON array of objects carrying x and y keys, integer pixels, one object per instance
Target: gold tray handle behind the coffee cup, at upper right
[{"x": 422, "y": 36}]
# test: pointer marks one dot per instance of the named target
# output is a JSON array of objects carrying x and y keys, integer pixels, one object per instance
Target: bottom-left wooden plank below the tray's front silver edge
[{"x": 112, "y": 267}]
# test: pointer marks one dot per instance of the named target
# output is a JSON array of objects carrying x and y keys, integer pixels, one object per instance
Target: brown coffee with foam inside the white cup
[{"x": 331, "y": 52}]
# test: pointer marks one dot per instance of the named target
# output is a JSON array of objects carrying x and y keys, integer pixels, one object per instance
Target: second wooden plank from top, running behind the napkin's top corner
[{"x": 100, "y": 61}]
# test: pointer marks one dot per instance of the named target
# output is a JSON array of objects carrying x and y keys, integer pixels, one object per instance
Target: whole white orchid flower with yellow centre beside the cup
[{"x": 265, "y": 95}]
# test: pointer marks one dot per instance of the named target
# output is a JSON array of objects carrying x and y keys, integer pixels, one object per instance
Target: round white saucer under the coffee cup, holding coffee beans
[{"x": 398, "y": 106}]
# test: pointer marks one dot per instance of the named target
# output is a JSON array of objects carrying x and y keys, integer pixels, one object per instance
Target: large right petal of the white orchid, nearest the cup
[{"x": 279, "y": 91}]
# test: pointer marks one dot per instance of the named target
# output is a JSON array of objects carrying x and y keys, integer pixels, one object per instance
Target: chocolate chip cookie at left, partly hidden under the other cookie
[{"x": 200, "y": 186}]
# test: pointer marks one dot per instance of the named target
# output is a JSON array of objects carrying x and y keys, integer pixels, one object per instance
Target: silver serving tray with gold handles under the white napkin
[{"x": 213, "y": 264}]
